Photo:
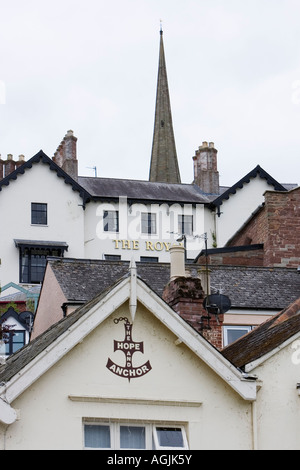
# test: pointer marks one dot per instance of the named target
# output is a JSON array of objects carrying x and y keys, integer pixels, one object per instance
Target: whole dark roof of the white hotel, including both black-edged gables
[{"x": 141, "y": 191}]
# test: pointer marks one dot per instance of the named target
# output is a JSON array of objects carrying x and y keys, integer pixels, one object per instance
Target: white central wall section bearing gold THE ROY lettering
[{"x": 130, "y": 242}]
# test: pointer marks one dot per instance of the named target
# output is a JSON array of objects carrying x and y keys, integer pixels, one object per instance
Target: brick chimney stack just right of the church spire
[{"x": 206, "y": 174}]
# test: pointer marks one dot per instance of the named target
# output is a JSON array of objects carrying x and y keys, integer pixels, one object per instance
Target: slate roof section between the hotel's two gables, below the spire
[{"x": 143, "y": 191}]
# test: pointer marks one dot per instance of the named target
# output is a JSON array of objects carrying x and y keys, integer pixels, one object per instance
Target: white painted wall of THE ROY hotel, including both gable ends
[{"x": 83, "y": 230}]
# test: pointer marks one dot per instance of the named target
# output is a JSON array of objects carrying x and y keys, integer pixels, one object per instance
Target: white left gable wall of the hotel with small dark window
[{"x": 65, "y": 216}]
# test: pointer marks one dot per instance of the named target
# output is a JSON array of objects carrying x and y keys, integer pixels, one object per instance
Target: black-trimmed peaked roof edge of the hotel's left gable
[{"x": 41, "y": 157}]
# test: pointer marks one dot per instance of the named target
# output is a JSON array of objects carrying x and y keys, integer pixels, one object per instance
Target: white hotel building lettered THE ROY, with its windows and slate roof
[{"x": 46, "y": 212}]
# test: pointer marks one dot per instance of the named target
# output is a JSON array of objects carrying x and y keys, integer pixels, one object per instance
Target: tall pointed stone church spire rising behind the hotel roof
[{"x": 164, "y": 164}]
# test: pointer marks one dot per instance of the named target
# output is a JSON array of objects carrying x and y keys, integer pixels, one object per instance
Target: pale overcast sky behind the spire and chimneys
[{"x": 91, "y": 66}]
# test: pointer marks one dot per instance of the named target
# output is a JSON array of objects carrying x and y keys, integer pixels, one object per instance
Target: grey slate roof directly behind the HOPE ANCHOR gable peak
[{"x": 247, "y": 287}]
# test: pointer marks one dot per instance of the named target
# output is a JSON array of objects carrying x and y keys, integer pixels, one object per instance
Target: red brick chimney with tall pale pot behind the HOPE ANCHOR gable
[{"x": 185, "y": 295}]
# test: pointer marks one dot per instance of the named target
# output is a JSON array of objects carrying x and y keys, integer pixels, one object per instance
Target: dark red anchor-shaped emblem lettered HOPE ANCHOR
[{"x": 129, "y": 347}]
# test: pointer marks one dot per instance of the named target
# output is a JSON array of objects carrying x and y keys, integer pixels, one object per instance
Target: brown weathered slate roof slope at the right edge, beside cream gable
[{"x": 265, "y": 337}]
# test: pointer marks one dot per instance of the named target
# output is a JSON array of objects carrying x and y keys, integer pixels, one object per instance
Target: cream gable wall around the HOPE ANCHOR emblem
[{"x": 214, "y": 416}]
